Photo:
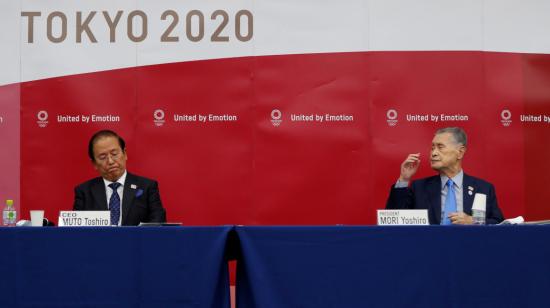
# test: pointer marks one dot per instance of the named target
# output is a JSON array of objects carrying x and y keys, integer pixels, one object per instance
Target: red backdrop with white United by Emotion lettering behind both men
[{"x": 252, "y": 172}]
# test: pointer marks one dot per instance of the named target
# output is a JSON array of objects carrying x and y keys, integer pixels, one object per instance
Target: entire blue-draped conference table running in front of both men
[{"x": 310, "y": 266}]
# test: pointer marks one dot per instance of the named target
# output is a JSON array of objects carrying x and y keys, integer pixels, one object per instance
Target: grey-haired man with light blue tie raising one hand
[{"x": 448, "y": 196}]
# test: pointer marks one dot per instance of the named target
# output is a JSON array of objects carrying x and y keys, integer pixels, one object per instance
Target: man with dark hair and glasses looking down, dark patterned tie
[{"x": 131, "y": 199}]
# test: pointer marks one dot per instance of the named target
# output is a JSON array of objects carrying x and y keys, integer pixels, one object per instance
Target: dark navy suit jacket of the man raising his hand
[{"x": 426, "y": 194}]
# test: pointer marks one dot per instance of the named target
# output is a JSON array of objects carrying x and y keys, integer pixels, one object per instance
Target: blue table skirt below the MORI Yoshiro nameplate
[{"x": 432, "y": 266}]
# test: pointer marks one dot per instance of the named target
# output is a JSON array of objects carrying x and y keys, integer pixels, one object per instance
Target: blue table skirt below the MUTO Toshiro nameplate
[{"x": 114, "y": 267}]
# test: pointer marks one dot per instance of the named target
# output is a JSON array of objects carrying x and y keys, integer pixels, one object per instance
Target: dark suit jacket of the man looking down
[{"x": 140, "y": 203}]
